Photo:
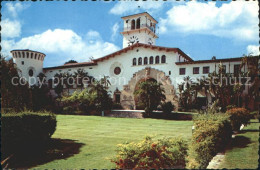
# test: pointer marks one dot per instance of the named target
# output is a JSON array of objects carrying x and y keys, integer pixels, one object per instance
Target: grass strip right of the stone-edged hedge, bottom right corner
[{"x": 243, "y": 153}]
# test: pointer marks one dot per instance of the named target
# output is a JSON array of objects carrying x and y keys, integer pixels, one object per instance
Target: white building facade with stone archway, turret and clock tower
[{"x": 138, "y": 60}]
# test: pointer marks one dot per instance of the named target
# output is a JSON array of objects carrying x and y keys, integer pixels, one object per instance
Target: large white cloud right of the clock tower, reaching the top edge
[{"x": 237, "y": 20}]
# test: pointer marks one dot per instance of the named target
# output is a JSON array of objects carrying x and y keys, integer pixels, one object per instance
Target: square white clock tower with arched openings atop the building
[{"x": 139, "y": 28}]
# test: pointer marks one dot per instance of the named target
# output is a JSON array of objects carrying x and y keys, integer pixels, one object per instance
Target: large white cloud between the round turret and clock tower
[{"x": 64, "y": 45}]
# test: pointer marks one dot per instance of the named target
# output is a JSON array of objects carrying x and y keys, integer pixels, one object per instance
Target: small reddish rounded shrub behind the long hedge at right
[{"x": 238, "y": 116}]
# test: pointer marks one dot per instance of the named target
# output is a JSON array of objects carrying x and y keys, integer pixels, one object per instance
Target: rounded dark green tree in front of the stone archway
[{"x": 150, "y": 94}]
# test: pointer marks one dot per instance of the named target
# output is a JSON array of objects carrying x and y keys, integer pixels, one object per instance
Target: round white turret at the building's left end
[{"x": 29, "y": 62}]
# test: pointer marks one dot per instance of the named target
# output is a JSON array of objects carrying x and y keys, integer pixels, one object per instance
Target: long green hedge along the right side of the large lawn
[{"x": 211, "y": 134}]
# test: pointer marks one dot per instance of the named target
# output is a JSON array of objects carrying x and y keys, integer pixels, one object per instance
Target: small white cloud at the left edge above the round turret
[{"x": 10, "y": 29}]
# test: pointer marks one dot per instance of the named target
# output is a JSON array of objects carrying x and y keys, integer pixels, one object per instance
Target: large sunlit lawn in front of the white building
[{"x": 100, "y": 135}]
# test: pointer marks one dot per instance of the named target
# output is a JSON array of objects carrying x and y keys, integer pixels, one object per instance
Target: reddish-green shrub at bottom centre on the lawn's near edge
[{"x": 163, "y": 153}]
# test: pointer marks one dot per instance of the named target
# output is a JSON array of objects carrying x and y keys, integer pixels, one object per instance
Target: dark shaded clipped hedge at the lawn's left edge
[{"x": 26, "y": 131}]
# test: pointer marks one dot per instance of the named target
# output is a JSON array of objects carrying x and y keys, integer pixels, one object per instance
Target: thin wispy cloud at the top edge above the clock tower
[{"x": 124, "y": 7}]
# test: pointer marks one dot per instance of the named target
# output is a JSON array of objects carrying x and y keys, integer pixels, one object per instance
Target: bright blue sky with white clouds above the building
[{"x": 82, "y": 30}]
